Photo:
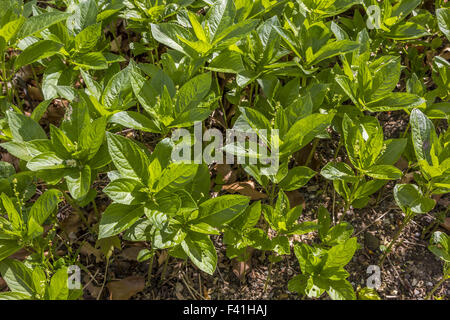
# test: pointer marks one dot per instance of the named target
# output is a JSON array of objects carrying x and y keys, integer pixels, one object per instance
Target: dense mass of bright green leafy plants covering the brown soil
[{"x": 313, "y": 70}]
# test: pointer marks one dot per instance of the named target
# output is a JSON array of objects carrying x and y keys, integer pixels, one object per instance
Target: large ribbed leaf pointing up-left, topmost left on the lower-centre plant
[{"x": 128, "y": 157}]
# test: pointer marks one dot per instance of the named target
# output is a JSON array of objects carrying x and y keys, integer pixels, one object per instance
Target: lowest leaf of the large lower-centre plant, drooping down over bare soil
[{"x": 201, "y": 251}]
